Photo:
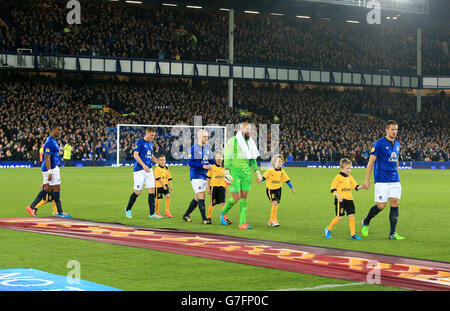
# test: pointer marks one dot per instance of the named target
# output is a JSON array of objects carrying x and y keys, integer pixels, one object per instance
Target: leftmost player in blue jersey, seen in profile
[{"x": 50, "y": 173}]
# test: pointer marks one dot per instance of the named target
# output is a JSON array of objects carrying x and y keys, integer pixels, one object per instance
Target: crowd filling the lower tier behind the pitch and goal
[{"x": 315, "y": 124}]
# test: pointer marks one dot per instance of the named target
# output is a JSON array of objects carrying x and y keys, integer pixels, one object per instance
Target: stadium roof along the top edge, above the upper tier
[{"x": 436, "y": 10}]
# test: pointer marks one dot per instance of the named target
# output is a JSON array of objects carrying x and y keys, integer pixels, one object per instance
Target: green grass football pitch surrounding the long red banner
[{"x": 101, "y": 194}]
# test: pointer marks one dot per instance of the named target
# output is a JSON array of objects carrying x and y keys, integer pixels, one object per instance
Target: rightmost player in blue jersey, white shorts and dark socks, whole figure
[{"x": 383, "y": 160}]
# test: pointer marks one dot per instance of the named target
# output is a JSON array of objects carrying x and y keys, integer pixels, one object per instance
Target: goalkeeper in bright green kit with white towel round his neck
[{"x": 240, "y": 154}]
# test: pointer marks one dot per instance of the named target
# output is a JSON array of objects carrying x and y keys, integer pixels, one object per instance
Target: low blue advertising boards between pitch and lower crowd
[{"x": 309, "y": 164}]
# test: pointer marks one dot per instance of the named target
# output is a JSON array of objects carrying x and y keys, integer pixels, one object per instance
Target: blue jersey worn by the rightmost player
[{"x": 385, "y": 167}]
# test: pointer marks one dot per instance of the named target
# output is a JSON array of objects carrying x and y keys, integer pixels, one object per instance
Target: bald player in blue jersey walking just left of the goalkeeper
[{"x": 200, "y": 160}]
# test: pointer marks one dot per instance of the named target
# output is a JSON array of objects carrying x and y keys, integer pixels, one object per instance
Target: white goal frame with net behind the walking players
[{"x": 173, "y": 141}]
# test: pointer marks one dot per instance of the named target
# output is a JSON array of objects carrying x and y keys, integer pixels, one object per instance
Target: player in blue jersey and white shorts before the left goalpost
[{"x": 143, "y": 173}]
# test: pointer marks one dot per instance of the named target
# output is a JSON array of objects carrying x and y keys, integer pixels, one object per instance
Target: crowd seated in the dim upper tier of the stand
[{"x": 123, "y": 30}]
